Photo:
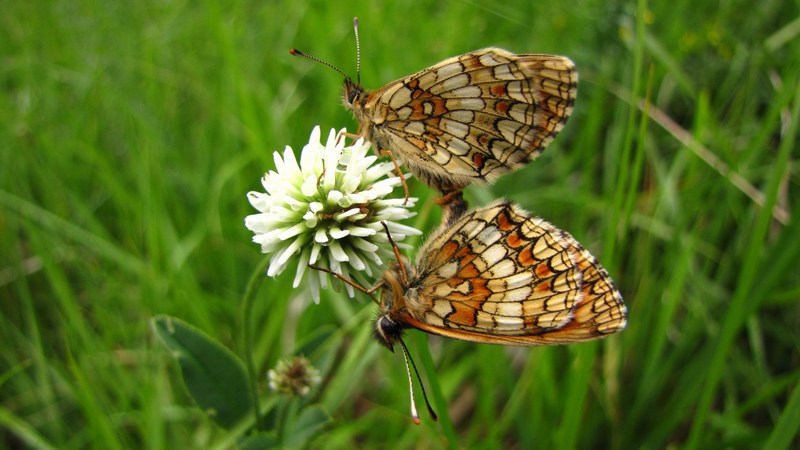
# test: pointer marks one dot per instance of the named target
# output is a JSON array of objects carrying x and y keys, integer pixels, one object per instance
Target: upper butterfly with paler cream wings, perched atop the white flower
[{"x": 470, "y": 118}]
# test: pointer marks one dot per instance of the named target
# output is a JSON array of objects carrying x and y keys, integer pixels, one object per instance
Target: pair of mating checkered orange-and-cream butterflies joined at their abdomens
[{"x": 494, "y": 274}]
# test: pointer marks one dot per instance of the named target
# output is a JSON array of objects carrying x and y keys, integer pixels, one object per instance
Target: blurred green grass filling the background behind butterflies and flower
[{"x": 132, "y": 131}]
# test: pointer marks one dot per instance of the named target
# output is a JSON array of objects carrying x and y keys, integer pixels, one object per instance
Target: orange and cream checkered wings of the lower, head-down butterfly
[{"x": 498, "y": 275}]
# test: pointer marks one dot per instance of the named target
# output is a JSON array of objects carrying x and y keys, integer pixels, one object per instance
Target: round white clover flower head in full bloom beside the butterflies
[{"x": 327, "y": 211}]
